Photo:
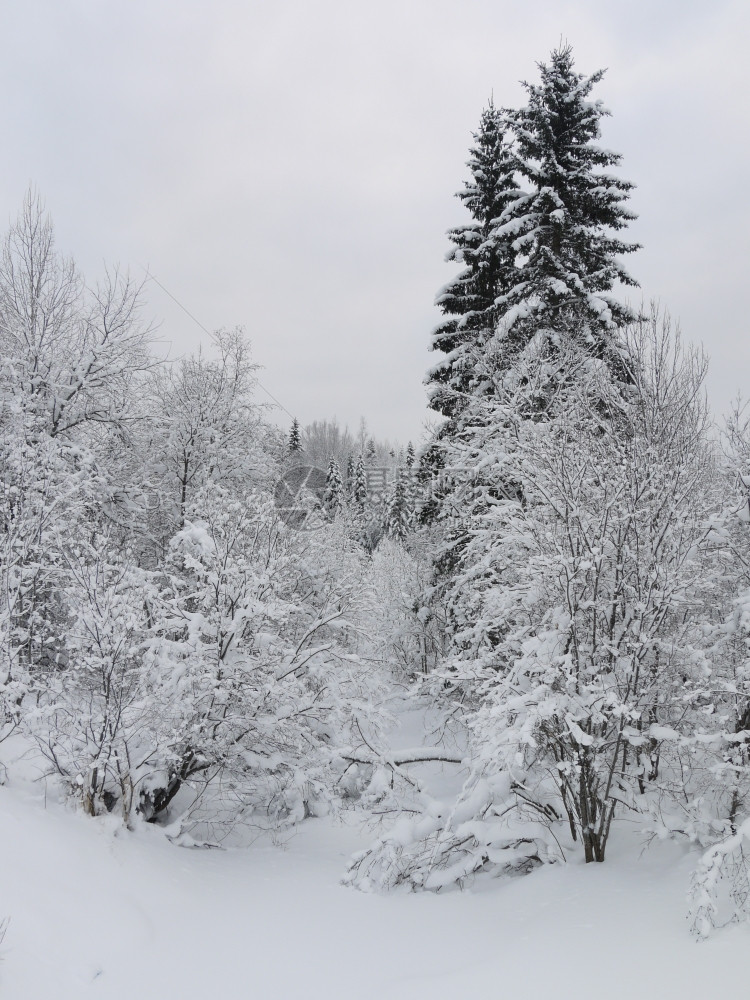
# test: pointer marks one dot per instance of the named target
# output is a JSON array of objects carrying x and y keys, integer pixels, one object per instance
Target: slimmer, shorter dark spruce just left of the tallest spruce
[{"x": 487, "y": 256}]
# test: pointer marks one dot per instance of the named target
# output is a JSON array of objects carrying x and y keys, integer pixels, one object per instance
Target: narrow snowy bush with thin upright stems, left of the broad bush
[{"x": 94, "y": 721}]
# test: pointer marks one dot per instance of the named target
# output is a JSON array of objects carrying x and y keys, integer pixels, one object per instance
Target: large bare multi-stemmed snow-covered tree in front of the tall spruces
[{"x": 579, "y": 614}]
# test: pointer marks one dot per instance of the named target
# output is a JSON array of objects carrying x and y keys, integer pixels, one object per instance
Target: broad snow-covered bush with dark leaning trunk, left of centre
[{"x": 254, "y": 666}]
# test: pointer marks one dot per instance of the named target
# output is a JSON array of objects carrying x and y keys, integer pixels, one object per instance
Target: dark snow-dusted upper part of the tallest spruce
[{"x": 563, "y": 229}]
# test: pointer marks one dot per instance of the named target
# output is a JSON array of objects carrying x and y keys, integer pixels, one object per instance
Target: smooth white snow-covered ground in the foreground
[{"x": 97, "y": 911}]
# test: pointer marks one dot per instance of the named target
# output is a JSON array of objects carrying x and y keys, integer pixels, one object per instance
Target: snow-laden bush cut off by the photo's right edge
[{"x": 715, "y": 804}]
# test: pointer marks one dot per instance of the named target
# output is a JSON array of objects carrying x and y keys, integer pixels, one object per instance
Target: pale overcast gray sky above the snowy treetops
[{"x": 291, "y": 166}]
